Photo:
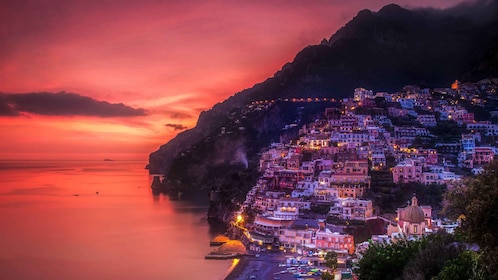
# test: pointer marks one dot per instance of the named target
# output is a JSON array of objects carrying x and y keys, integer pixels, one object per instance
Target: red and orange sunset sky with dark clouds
[{"x": 116, "y": 79}]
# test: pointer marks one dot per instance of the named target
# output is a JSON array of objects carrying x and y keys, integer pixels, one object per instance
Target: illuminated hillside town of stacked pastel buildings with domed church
[{"x": 319, "y": 192}]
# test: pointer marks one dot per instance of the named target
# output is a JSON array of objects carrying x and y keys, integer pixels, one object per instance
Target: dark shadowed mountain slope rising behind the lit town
[{"x": 382, "y": 51}]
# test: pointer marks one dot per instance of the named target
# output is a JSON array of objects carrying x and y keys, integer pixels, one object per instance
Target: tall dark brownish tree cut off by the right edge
[{"x": 479, "y": 203}]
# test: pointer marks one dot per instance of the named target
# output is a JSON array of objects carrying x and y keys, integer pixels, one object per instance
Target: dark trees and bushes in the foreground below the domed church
[{"x": 472, "y": 253}]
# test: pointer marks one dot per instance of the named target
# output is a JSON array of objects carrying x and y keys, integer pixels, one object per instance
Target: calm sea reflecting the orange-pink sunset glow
[{"x": 123, "y": 232}]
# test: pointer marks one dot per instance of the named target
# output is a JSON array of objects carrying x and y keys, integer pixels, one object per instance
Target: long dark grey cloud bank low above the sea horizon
[{"x": 63, "y": 104}]
